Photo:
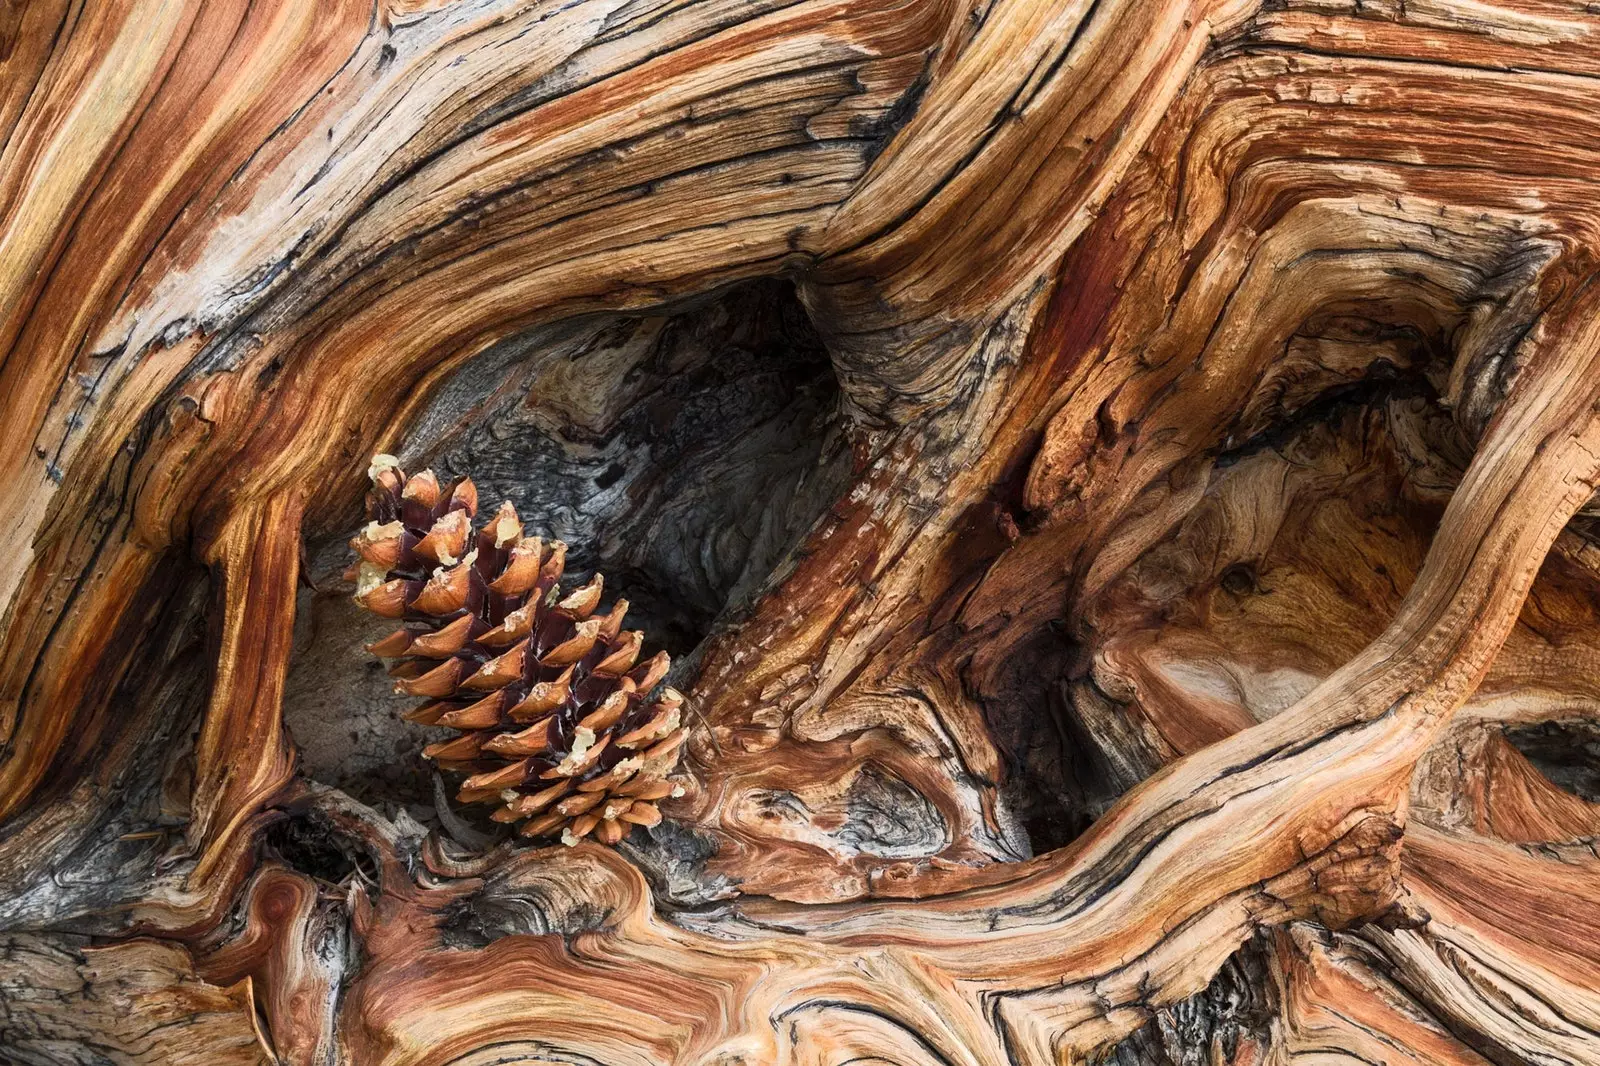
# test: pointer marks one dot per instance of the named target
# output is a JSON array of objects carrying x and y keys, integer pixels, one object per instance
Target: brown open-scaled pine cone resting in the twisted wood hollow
[{"x": 556, "y": 719}]
